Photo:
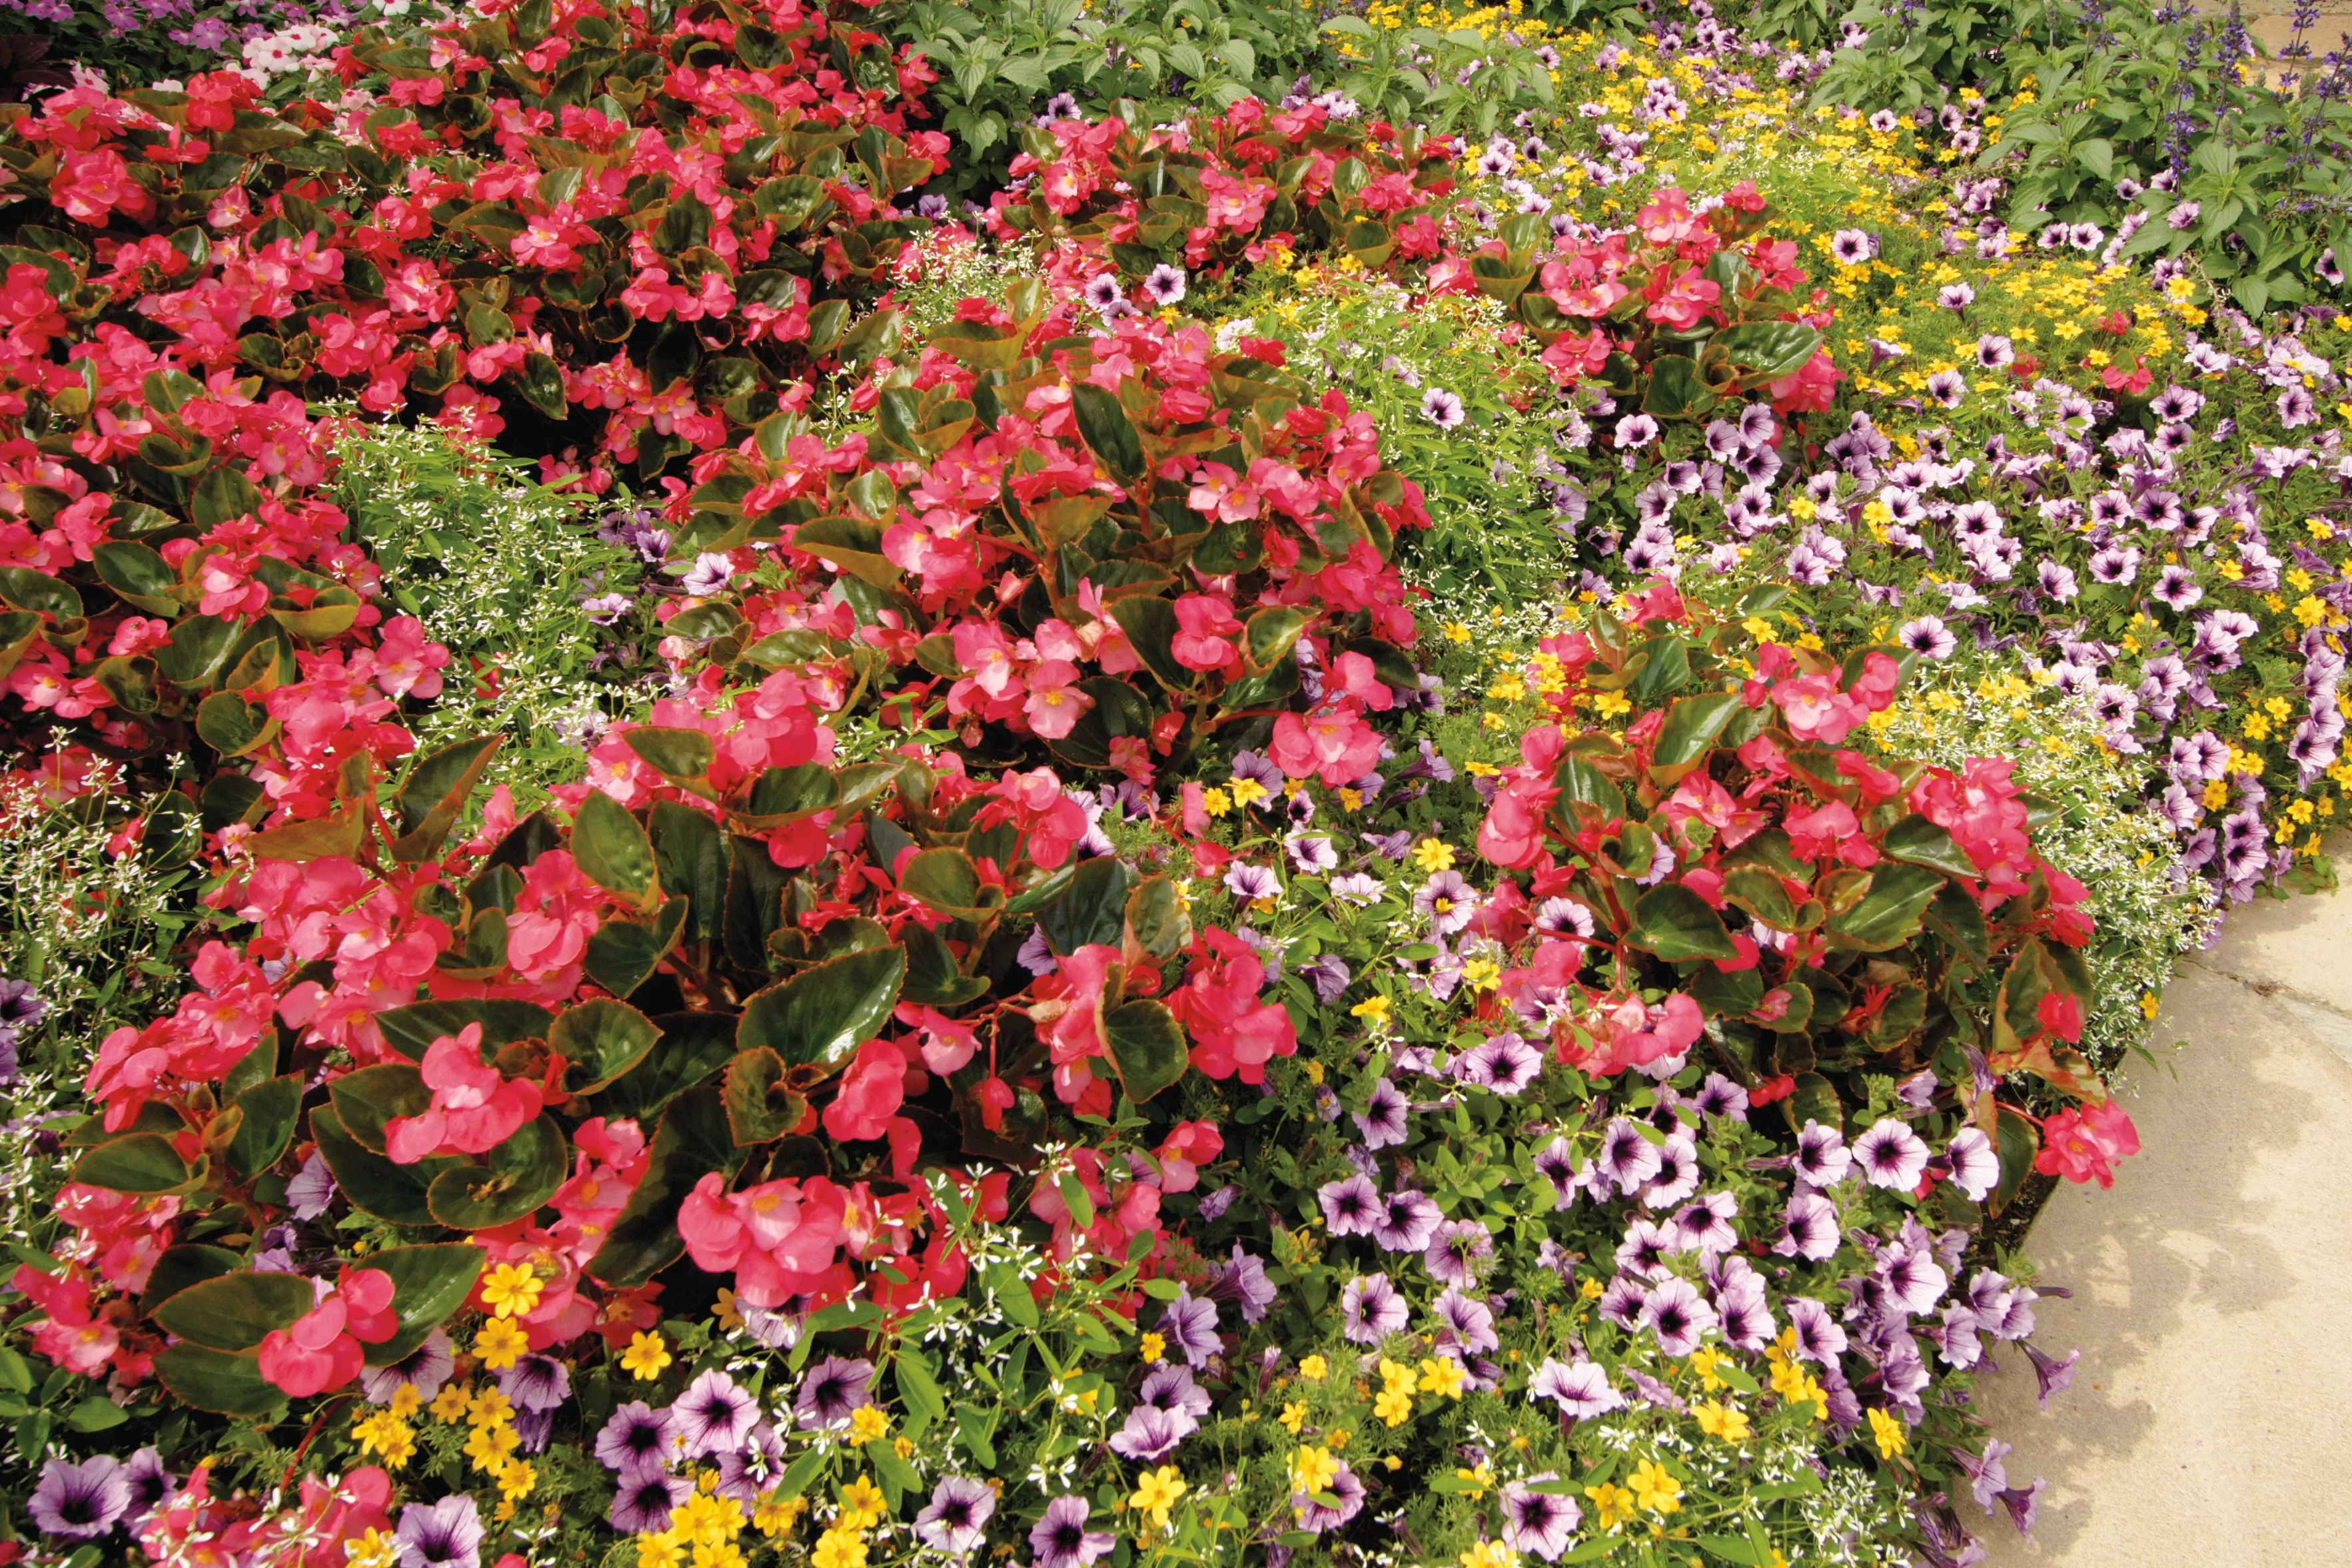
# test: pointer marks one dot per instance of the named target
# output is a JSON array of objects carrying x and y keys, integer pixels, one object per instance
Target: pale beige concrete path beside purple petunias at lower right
[{"x": 2212, "y": 1412}]
